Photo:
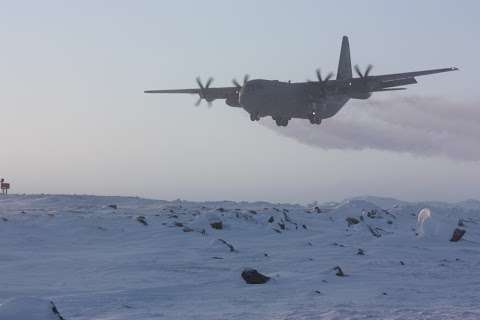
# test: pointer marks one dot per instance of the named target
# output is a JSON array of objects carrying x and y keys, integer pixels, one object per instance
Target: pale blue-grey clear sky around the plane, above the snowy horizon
[{"x": 74, "y": 118}]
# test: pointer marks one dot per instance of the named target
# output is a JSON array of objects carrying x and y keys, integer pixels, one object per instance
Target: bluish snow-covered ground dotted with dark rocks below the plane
[{"x": 97, "y": 262}]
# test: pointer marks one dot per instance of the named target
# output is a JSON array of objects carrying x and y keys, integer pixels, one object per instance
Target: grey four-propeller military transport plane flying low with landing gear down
[{"x": 312, "y": 100}]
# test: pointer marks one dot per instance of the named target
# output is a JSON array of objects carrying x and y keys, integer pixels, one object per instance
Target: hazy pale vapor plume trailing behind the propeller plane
[{"x": 424, "y": 126}]
